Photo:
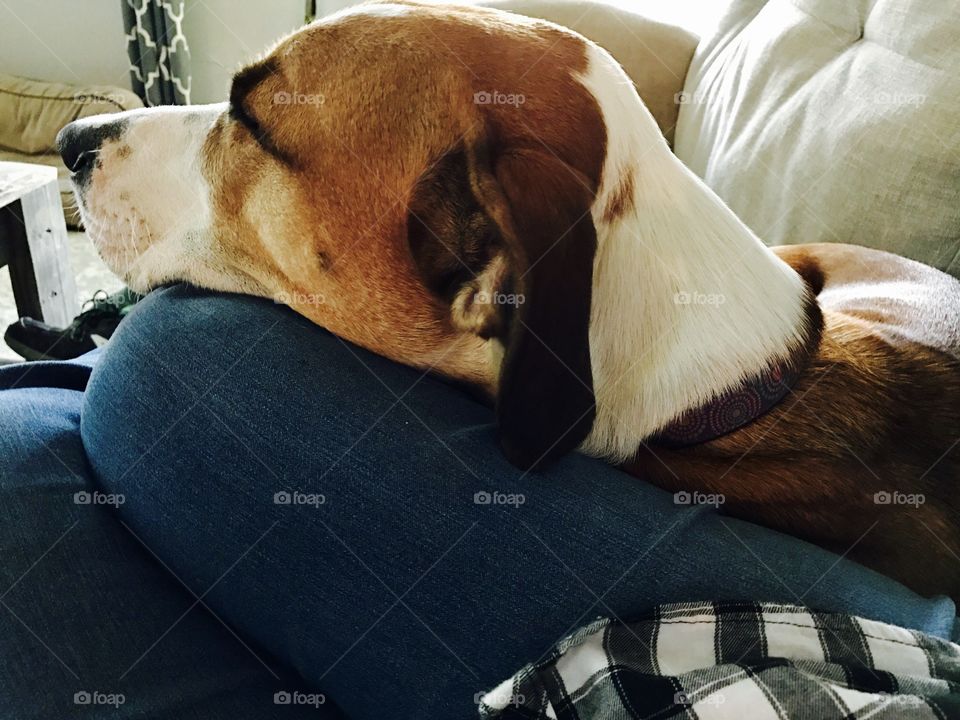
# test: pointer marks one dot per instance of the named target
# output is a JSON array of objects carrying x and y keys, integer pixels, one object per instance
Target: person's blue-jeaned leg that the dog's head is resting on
[{"x": 357, "y": 518}]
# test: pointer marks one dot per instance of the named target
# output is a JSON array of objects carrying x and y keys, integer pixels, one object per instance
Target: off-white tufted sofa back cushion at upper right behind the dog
[{"x": 833, "y": 121}]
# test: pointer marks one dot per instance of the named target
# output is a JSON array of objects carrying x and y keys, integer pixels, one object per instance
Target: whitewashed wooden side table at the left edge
[{"x": 33, "y": 242}]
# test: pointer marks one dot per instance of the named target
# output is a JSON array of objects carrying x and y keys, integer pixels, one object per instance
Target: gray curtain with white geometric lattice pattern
[{"x": 158, "y": 52}]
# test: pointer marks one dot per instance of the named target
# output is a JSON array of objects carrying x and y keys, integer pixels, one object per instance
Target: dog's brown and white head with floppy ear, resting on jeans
[{"x": 425, "y": 181}]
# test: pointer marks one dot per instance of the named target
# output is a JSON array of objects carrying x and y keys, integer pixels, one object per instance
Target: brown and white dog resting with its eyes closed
[{"x": 395, "y": 169}]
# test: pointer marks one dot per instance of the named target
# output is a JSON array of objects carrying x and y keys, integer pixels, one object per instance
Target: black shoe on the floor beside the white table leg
[{"x": 35, "y": 340}]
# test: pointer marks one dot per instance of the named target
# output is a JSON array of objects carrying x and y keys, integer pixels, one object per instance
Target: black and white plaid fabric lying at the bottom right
[{"x": 736, "y": 661}]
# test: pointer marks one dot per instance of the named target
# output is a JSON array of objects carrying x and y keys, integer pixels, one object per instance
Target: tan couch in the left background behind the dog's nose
[{"x": 32, "y": 112}]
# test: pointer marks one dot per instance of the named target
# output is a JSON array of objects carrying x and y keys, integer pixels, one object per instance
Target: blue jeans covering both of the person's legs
[{"x": 300, "y": 515}]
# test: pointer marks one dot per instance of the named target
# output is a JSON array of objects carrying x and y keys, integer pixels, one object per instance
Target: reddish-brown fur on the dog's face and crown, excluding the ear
[{"x": 332, "y": 185}]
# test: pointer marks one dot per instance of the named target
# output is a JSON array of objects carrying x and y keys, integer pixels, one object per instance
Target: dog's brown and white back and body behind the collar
[{"x": 862, "y": 456}]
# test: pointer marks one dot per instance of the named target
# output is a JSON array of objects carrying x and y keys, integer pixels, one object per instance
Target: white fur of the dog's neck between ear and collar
[{"x": 687, "y": 302}]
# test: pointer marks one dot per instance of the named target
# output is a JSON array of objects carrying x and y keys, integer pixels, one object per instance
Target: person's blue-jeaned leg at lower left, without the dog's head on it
[{"x": 91, "y": 624}]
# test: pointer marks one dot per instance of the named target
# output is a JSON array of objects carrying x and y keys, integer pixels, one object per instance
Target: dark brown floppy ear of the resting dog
[{"x": 509, "y": 242}]
